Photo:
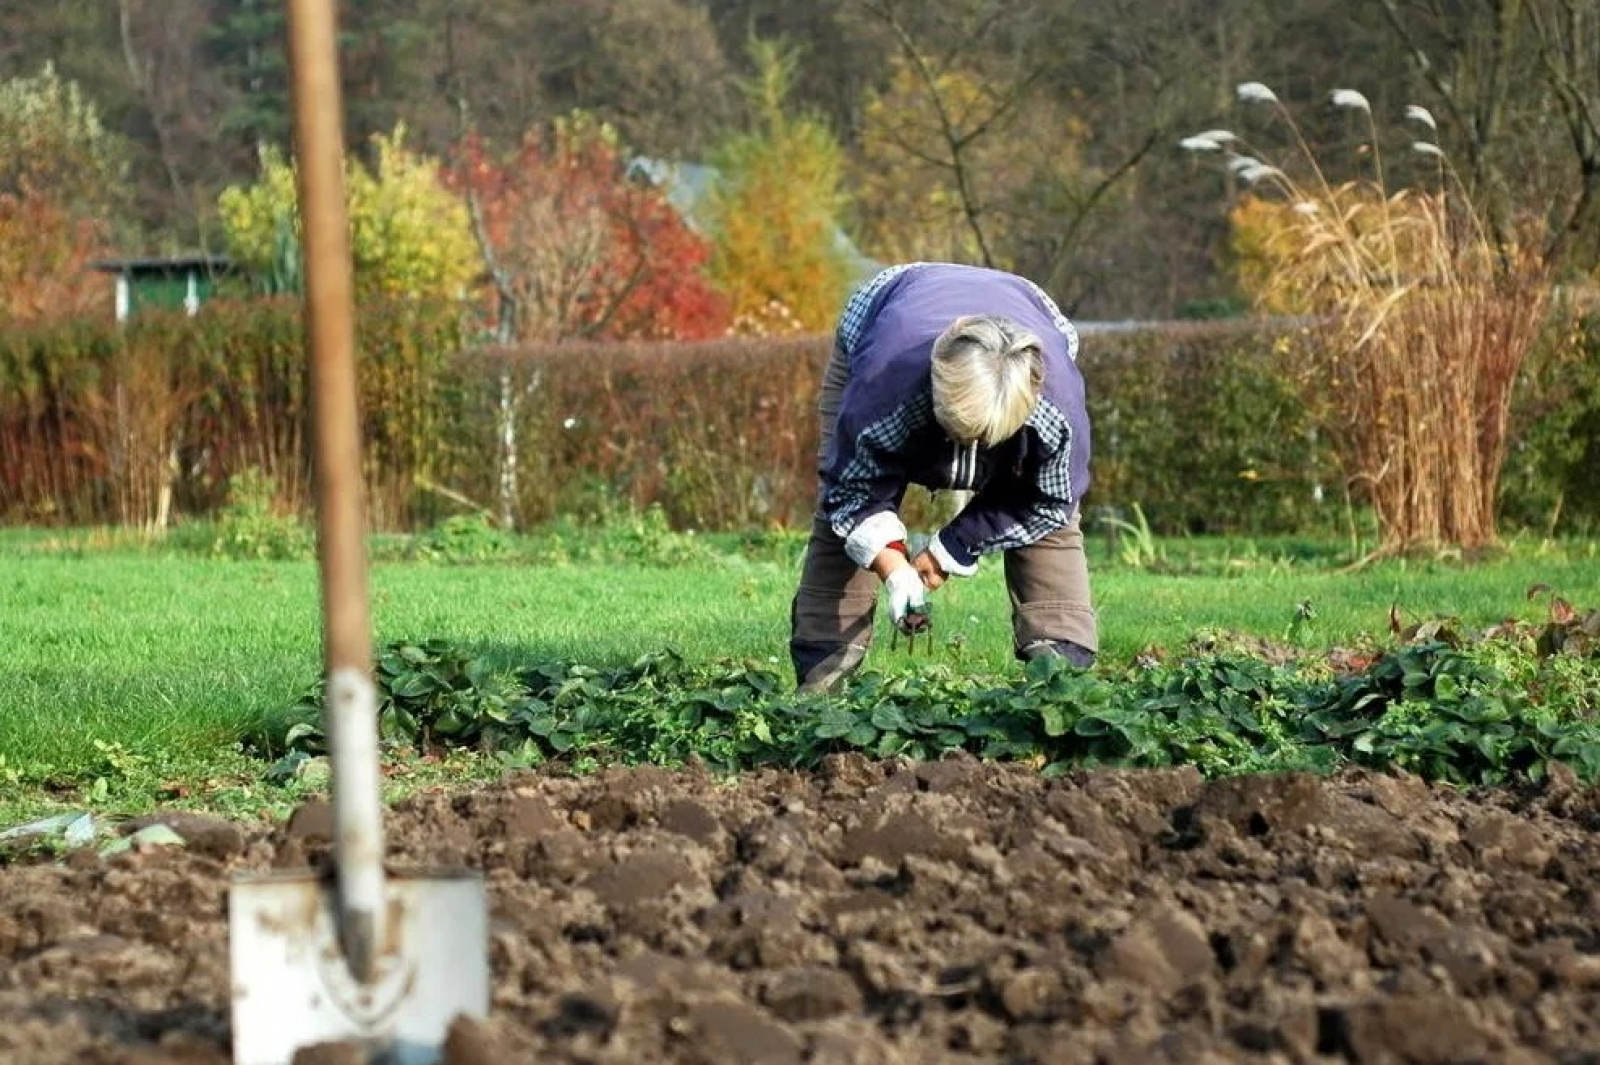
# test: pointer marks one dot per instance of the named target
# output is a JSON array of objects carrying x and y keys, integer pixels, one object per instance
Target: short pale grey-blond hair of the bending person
[{"x": 988, "y": 373}]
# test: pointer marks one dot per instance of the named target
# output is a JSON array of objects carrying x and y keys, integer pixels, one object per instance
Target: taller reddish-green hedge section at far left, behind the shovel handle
[{"x": 132, "y": 425}]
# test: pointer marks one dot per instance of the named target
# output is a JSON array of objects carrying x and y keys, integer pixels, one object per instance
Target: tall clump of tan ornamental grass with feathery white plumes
[{"x": 1418, "y": 321}]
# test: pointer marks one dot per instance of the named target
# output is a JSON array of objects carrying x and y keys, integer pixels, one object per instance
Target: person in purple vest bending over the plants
[{"x": 953, "y": 378}]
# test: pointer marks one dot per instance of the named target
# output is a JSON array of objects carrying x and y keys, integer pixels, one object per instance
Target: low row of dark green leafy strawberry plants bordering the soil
[{"x": 1436, "y": 704}]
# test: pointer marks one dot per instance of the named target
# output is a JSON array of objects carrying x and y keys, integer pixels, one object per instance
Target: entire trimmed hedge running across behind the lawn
[{"x": 146, "y": 423}]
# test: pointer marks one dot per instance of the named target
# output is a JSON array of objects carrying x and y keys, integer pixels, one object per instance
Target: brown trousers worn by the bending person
[{"x": 831, "y": 620}]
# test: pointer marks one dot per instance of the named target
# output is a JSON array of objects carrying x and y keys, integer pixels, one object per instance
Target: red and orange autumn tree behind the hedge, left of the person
[{"x": 575, "y": 249}]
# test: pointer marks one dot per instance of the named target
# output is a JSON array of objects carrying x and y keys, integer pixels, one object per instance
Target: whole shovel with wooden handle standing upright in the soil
[{"x": 353, "y": 955}]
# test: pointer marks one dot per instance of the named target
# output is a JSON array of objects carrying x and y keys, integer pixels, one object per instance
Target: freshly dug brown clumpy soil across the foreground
[{"x": 884, "y": 914}]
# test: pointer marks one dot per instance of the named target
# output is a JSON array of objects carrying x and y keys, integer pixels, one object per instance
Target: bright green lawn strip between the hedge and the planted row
[{"x": 130, "y": 674}]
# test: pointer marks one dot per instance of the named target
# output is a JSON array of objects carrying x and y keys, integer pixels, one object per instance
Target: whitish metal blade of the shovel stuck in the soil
[{"x": 294, "y": 989}]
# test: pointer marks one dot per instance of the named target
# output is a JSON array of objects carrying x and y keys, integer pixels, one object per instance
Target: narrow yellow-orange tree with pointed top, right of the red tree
[{"x": 778, "y": 252}]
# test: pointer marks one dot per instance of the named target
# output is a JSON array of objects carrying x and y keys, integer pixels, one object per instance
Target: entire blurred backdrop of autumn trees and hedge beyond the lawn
[{"x": 599, "y": 244}]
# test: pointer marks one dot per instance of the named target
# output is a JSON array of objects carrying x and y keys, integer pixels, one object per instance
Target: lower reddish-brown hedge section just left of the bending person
[{"x": 719, "y": 434}]
